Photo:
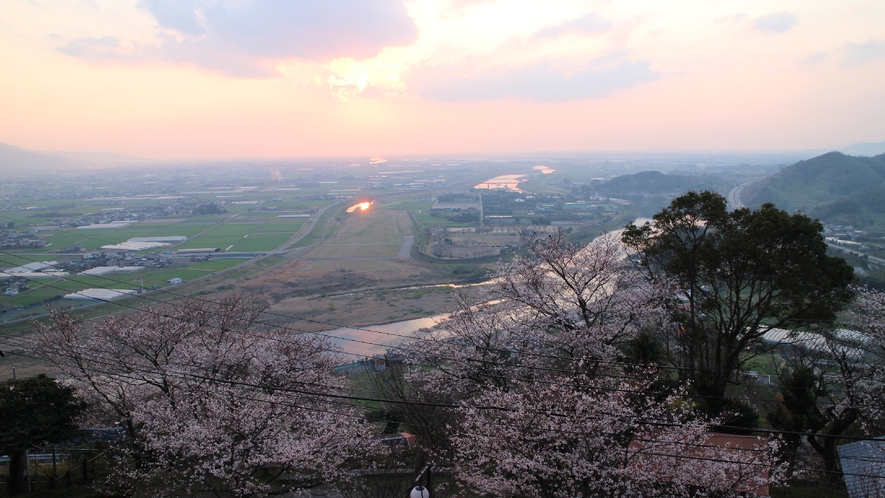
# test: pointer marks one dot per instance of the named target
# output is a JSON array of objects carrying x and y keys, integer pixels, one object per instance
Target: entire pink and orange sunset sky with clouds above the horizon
[{"x": 188, "y": 79}]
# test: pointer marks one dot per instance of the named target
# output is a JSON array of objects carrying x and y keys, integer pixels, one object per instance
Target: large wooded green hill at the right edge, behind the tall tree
[{"x": 834, "y": 187}]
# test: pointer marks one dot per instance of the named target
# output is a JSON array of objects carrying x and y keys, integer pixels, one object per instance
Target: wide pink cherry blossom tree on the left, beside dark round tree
[{"x": 206, "y": 395}]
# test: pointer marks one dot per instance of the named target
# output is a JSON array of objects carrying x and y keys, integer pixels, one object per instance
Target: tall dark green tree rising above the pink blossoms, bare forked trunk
[{"x": 735, "y": 274}]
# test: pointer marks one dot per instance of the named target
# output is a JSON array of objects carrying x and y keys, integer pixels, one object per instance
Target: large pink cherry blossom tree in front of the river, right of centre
[{"x": 545, "y": 405}]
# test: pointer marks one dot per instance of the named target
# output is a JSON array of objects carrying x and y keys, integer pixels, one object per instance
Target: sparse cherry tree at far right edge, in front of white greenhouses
[{"x": 835, "y": 382}]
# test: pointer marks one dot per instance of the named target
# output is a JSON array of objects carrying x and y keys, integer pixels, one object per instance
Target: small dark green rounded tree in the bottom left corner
[{"x": 34, "y": 411}]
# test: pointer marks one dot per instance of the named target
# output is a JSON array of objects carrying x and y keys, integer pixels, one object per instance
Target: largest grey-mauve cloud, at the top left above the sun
[{"x": 247, "y": 38}]
